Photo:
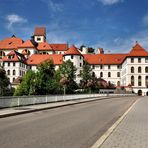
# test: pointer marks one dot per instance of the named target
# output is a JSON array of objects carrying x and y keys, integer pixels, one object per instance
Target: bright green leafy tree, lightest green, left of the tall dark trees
[{"x": 27, "y": 86}]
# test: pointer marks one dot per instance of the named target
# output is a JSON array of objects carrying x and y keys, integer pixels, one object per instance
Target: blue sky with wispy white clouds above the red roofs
[{"x": 114, "y": 25}]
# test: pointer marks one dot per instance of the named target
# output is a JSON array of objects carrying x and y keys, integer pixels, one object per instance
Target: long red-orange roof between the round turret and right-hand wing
[{"x": 104, "y": 58}]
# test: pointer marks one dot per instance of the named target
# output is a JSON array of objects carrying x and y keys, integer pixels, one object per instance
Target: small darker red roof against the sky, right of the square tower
[{"x": 59, "y": 47}]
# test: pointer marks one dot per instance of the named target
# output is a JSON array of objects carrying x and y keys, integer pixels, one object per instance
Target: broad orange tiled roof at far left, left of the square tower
[{"x": 10, "y": 43}]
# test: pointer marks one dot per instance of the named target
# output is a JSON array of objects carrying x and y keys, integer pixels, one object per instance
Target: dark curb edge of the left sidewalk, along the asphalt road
[{"x": 52, "y": 107}]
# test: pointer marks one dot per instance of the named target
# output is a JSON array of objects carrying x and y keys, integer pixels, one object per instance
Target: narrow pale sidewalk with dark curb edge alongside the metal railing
[{"x": 33, "y": 108}]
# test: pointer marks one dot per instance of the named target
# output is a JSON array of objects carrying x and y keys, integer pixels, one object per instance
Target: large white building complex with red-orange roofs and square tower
[{"x": 18, "y": 56}]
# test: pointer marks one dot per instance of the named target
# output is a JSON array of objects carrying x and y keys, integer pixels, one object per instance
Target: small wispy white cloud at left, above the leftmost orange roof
[{"x": 14, "y": 19}]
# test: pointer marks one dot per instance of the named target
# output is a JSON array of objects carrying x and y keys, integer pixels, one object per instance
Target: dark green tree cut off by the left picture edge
[{"x": 4, "y": 83}]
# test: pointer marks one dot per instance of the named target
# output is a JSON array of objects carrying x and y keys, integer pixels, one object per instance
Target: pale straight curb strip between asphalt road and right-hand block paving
[{"x": 101, "y": 140}]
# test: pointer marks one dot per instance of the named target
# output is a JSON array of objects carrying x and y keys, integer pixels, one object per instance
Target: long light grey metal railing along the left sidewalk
[{"x": 10, "y": 101}]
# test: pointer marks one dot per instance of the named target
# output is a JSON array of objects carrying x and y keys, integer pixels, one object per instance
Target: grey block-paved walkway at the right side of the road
[{"x": 132, "y": 132}]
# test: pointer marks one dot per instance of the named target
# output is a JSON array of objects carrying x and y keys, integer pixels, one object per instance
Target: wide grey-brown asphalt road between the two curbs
[{"x": 76, "y": 126}]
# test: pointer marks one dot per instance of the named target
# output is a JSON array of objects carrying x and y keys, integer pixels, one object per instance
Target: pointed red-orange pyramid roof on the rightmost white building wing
[{"x": 138, "y": 50}]
